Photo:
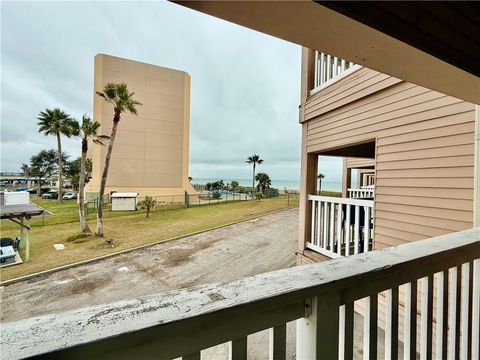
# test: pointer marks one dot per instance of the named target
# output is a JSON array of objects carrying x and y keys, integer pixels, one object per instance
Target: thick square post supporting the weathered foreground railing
[{"x": 318, "y": 333}]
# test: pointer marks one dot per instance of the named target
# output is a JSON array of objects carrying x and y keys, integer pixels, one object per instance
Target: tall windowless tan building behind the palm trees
[{"x": 150, "y": 154}]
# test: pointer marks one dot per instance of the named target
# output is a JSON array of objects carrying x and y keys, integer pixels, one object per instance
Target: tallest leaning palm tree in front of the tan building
[{"x": 122, "y": 100}]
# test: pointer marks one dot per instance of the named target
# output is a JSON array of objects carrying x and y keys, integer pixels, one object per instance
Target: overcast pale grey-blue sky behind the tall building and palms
[{"x": 245, "y": 85}]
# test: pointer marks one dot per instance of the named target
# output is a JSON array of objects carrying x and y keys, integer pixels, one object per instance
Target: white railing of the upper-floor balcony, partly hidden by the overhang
[{"x": 328, "y": 68}]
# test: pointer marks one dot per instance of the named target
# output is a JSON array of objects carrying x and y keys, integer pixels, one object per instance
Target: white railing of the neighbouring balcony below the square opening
[{"x": 341, "y": 226}]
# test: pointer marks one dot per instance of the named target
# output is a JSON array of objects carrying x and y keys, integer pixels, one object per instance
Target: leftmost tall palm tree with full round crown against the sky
[{"x": 57, "y": 122}]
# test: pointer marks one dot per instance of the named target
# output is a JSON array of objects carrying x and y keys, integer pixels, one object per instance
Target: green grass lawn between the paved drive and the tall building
[{"x": 128, "y": 229}]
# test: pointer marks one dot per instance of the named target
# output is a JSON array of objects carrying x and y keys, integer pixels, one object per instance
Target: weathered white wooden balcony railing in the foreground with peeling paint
[{"x": 321, "y": 296}]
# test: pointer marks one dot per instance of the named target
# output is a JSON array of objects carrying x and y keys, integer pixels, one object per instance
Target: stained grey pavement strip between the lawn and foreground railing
[{"x": 264, "y": 244}]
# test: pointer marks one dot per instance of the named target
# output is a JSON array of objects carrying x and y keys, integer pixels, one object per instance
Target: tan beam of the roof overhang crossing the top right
[{"x": 315, "y": 26}]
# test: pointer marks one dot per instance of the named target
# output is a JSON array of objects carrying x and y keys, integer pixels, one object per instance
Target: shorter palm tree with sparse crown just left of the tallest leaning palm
[{"x": 88, "y": 131}]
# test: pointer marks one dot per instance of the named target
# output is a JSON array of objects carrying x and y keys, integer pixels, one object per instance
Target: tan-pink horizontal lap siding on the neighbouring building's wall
[{"x": 424, "y": 150}]
